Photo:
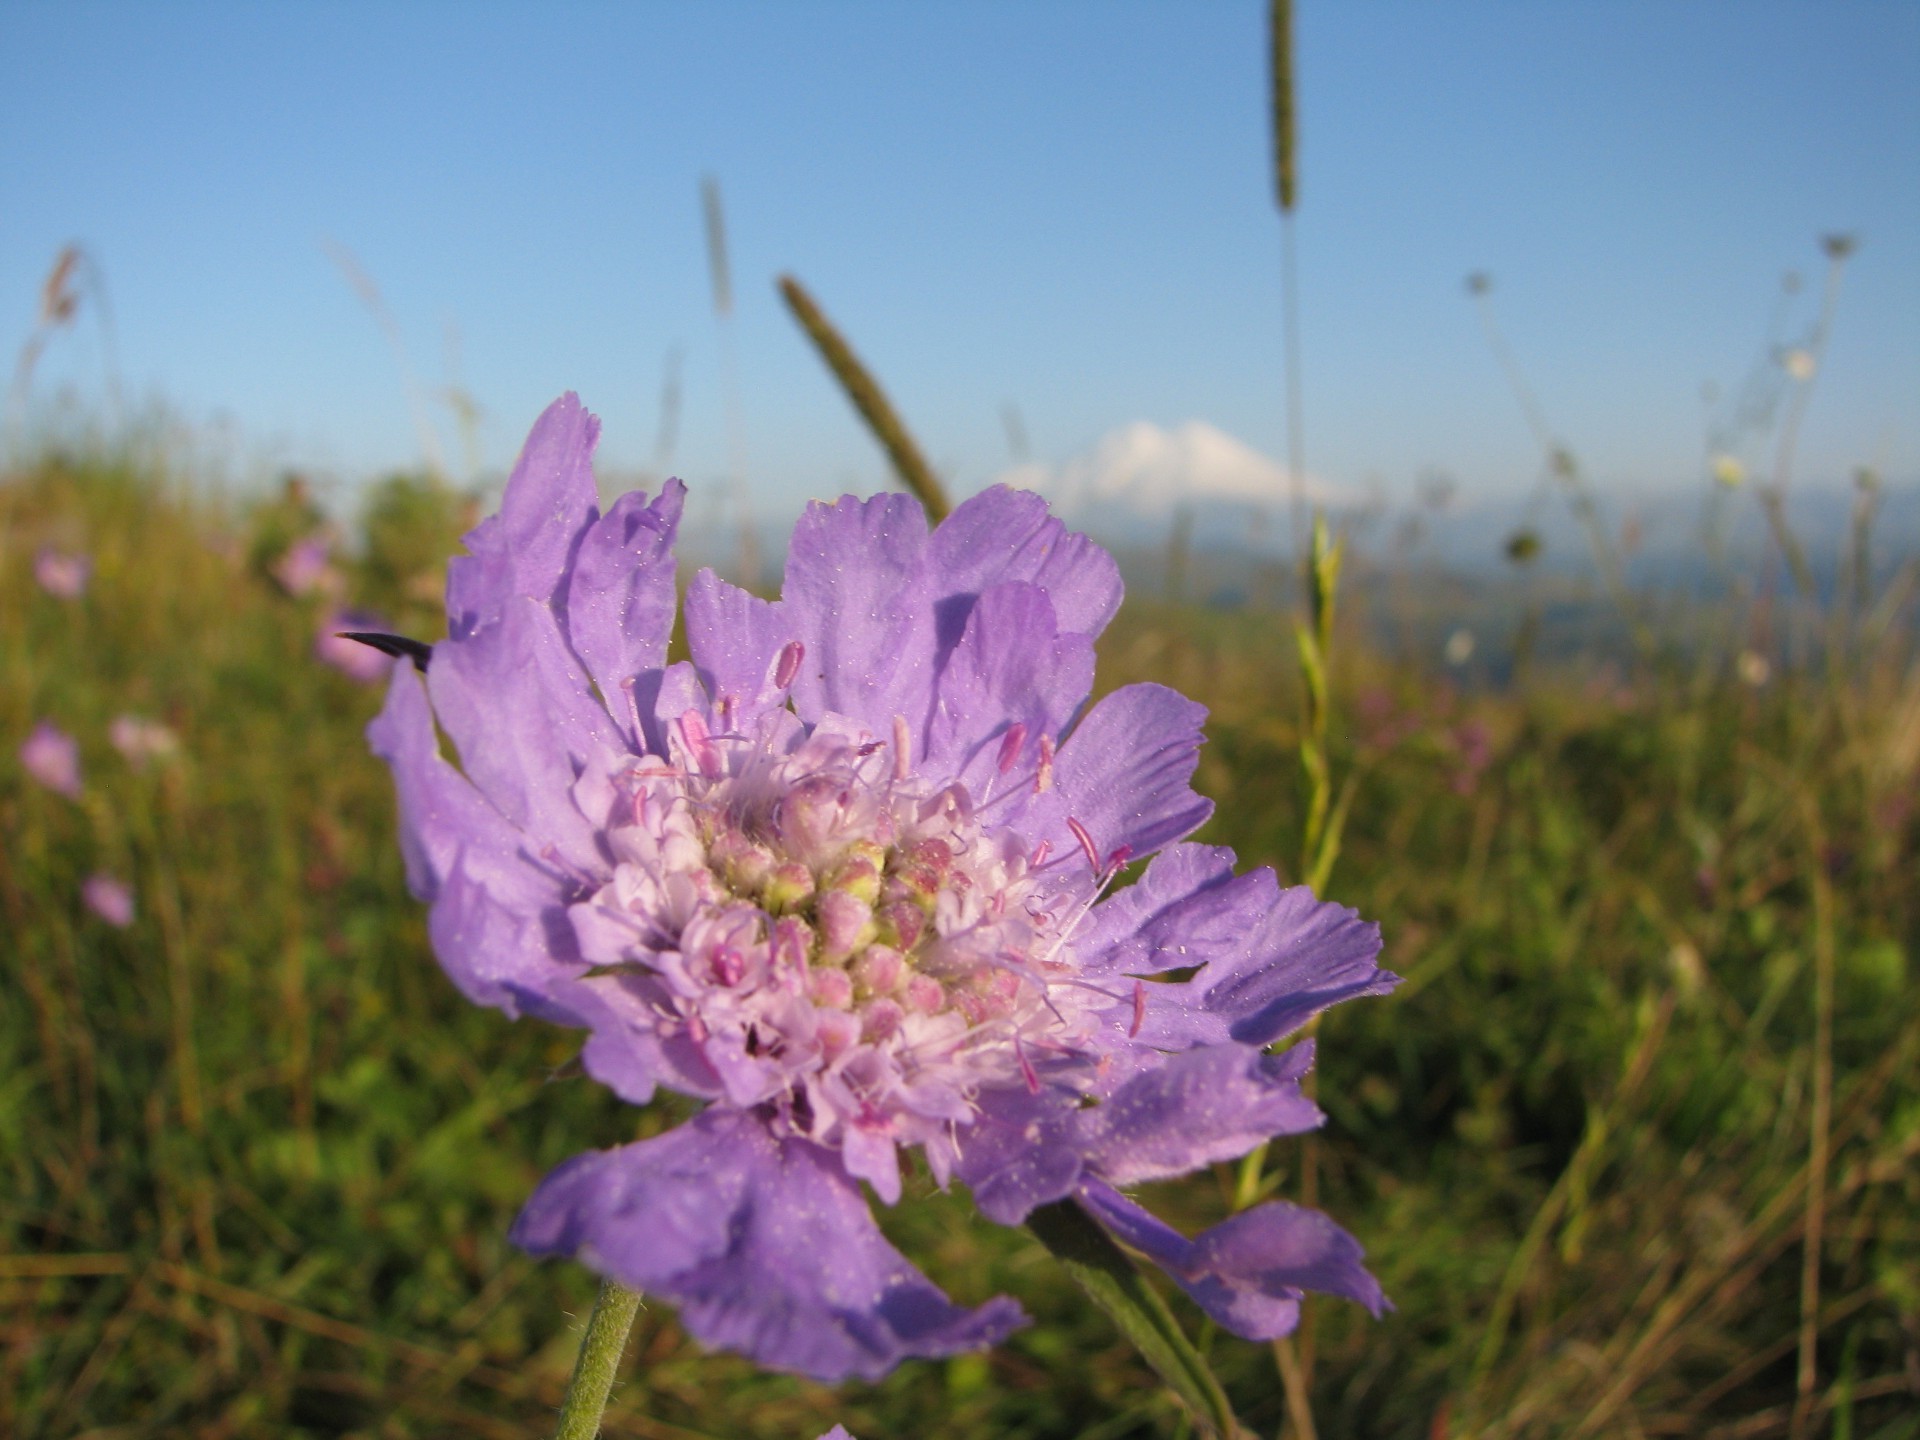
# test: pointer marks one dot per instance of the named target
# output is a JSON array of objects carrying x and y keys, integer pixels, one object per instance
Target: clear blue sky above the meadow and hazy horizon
[{"x": 1057, "y": 206}]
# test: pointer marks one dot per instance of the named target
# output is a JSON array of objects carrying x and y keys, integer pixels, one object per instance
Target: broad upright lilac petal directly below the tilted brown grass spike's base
[{"x": 859, "y": 598}]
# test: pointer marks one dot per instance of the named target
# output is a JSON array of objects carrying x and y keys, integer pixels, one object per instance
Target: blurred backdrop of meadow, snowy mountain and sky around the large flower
[{"x": 1602, "y": 362}]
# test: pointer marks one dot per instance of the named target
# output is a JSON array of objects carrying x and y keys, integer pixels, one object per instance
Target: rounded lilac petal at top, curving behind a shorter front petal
[{"x": 1007, "y": 535}]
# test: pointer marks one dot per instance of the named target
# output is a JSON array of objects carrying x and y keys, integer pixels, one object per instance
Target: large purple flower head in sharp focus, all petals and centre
[{"x": 844, "y": 876}]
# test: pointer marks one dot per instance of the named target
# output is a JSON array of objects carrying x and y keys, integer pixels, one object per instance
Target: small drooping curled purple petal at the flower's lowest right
[{"x": 1249, "y": 1272}]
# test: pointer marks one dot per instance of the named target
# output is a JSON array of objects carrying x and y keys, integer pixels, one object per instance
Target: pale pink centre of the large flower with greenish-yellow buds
[{"x": 844, "y": 940}]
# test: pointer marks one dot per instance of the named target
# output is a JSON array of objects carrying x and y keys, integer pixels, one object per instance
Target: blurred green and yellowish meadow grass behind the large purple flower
[{"x": 258, "y": 1159}]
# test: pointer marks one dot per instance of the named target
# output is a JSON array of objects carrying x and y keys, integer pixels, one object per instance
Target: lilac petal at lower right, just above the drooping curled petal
[{"x": 1197, "y": 1109}]
